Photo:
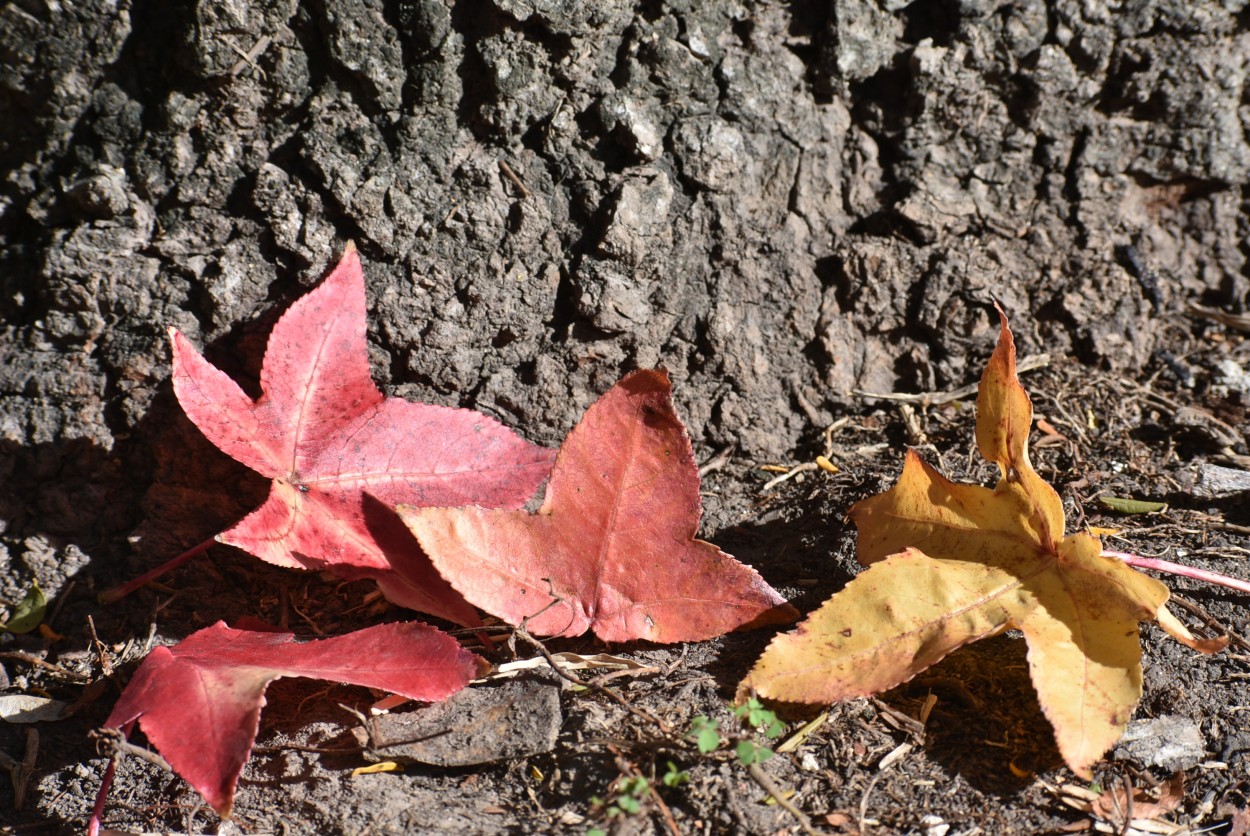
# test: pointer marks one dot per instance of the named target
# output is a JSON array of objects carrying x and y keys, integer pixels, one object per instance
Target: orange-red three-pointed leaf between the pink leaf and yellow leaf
[{"x": 613, "y": 547}]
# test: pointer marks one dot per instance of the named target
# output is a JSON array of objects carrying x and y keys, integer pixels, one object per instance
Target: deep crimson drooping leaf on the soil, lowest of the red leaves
[{"x": 199, "y": 702}]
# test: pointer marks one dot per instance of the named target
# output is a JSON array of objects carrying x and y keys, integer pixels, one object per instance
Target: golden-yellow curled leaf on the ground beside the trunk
[{"x": 949, "y": 564}]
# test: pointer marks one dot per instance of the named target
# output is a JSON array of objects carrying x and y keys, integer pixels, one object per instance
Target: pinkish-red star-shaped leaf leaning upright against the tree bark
[{"x": 342, "y": 455}]
